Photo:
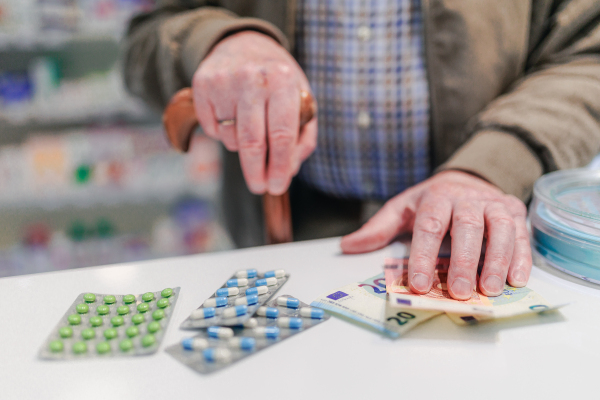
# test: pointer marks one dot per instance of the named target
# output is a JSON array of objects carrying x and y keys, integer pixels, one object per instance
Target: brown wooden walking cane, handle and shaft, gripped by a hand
[{"x": 179, "y": 119}]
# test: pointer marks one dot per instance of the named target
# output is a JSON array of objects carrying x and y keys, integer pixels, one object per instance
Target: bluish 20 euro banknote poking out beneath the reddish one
[{"x": 366, "y": 303}]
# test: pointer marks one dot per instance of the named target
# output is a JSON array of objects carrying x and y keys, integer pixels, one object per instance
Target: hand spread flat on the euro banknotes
[{"x": 470, "y": 208}]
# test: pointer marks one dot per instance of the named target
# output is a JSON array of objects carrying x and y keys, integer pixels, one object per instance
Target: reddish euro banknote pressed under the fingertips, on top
[{"x": 512, "y": 302}]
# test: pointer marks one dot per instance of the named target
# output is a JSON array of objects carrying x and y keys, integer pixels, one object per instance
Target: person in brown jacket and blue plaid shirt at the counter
[{"x": 446, "y": 110}]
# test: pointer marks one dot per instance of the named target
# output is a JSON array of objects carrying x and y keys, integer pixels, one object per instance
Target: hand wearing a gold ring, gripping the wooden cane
[{"x": 251, "y": 78}]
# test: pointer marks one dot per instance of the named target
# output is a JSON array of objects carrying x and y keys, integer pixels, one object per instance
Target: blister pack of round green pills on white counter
[{"x": 107, "y": 325}]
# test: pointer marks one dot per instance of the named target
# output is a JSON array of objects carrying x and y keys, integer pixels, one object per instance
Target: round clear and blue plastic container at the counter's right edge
[{"x": 565, "y": 221}]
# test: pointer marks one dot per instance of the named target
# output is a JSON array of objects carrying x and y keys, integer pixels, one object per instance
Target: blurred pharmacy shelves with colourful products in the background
[{"x": 86, "y": 175}]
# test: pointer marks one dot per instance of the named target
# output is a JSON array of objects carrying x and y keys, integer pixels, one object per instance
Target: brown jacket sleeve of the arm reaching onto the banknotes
[{"x": 549, "y": 119}]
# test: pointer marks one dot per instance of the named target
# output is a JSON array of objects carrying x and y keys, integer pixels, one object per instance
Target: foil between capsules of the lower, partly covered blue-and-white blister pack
[{"x": 195, "y": 359}]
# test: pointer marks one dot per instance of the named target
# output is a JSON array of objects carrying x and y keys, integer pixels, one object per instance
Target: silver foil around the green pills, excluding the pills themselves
[{"x": 114, "y": 343}]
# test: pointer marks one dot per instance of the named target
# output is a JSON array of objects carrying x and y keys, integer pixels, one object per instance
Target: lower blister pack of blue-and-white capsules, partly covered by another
[{"x": 219, "y": 346}]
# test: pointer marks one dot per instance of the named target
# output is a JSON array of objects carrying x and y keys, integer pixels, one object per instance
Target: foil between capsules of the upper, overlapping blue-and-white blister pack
[{"x": 218, "y": 319}]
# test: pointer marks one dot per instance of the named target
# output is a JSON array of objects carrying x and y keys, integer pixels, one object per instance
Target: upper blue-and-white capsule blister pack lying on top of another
[{"x": 237, "y": 300}]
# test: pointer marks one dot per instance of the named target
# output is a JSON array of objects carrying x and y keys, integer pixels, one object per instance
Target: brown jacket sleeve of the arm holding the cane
[{"x": 163, "y": 49}]
